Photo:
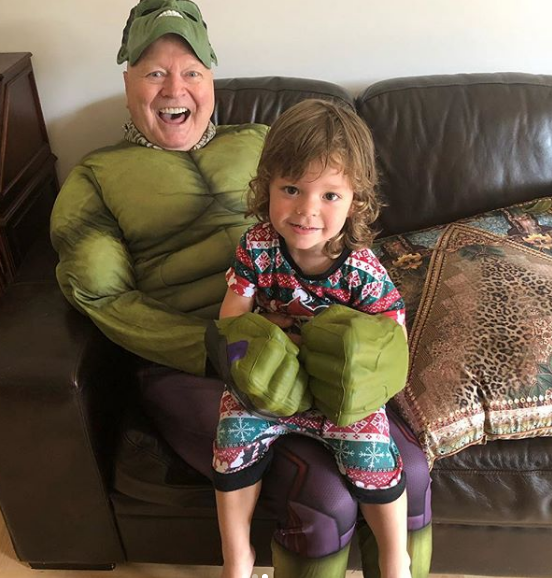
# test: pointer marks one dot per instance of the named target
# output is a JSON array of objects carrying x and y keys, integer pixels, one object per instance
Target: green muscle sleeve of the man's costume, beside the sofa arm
[{"x": 96, "y": 275}]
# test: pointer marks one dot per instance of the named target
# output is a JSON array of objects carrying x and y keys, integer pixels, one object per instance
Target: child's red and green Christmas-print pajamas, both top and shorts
[{"x": 364, "y": 451}]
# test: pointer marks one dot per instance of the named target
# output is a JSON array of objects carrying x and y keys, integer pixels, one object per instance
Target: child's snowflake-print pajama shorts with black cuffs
[{"x": 364, "y": 451}]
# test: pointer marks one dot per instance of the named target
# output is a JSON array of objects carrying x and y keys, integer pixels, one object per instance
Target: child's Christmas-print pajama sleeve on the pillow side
[{"x": 376, "y": 293}]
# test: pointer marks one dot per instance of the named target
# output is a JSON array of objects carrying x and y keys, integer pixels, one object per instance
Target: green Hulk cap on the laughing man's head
[{"x": 151, "y": 19}]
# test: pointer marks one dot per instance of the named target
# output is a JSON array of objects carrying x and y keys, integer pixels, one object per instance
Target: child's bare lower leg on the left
[{"x": 234, "y": 511}]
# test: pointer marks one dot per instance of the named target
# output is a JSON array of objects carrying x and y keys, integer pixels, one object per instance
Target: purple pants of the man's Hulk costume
[{"x": 316, "y": 512}]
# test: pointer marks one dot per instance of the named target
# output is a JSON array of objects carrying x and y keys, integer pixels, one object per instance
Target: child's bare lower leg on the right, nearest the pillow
[{"x": 388, "y": 522}]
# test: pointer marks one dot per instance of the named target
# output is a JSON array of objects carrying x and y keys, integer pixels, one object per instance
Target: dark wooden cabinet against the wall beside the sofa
[{"x": 28, "y": 181}]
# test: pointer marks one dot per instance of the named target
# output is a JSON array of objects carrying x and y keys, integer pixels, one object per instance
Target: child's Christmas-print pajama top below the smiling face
[{"x": 264, "y": 268}]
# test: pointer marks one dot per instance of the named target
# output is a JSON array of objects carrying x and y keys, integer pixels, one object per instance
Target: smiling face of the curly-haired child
[{"x": 310, "y": 211}]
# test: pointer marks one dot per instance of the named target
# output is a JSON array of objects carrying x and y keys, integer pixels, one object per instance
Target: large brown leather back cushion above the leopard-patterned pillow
[{"x": 458, "y": 145}]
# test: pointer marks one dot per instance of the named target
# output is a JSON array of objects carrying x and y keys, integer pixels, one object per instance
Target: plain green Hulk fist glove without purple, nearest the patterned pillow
[{"x": 356, "y": 362}]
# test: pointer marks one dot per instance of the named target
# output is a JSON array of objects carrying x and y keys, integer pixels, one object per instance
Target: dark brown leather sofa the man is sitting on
[{"x": 85, "y": 480}]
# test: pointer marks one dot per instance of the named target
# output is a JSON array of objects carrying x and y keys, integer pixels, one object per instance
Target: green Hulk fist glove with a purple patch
[{"x": 259, "y": 363}]
